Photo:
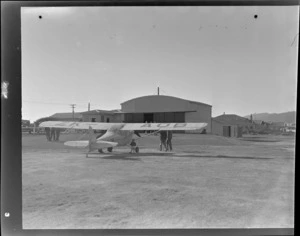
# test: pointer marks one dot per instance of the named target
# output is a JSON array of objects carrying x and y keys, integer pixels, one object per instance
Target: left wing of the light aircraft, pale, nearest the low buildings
[{"x": 77, "y": 125}]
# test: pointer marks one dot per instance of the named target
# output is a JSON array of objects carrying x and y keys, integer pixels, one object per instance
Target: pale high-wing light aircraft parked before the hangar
[{"x": 117, "y": 134}]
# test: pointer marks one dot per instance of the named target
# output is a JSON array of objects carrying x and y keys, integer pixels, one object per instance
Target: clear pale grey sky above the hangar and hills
[{"x": 222, "y": 56}]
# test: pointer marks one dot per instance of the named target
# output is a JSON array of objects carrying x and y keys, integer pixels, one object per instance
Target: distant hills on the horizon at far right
[{"x": 288, "y": 117}]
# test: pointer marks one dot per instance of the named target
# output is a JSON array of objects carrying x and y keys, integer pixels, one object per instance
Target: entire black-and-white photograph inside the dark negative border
[{"x": 158, "y": 117}]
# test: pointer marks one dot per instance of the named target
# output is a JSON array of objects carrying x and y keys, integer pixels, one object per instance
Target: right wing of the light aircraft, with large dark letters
[{"x": 164, "y": 126}]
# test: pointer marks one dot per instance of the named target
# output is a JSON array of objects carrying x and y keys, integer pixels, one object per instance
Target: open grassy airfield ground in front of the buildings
[{"x": 206, "y": 182}]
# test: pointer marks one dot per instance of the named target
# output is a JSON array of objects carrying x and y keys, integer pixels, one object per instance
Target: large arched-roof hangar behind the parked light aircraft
[{"x": 161, "y": 109}]
